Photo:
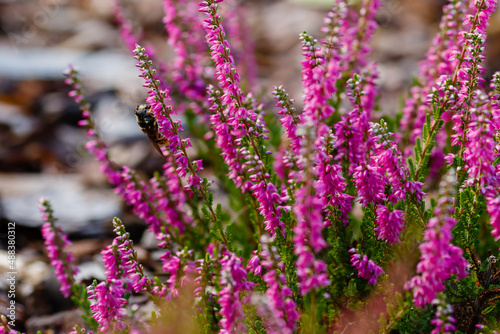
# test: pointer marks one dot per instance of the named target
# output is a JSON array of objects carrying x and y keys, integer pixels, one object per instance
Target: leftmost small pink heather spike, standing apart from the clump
[{"x": 55, "y": 241}]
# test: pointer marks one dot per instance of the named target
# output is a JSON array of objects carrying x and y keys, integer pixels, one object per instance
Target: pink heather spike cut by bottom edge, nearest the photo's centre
[{"x": 278, "y": 309}]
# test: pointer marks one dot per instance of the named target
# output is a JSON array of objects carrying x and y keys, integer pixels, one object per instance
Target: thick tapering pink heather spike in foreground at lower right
[{"x": 439, "y": 258}]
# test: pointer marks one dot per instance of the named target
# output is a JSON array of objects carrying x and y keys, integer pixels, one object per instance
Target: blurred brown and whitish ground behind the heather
[{"x": 41, "y": 145}]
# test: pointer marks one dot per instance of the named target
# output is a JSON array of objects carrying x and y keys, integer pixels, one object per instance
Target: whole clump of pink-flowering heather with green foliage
[{"x": 332, "y": 220}]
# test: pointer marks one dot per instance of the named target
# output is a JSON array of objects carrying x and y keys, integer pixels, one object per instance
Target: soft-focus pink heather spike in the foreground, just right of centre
[{"x": 311, "y": 200}]
